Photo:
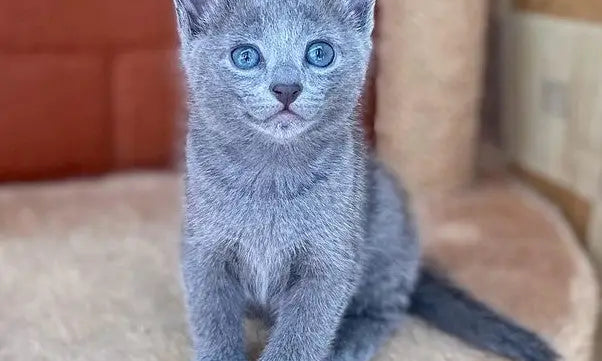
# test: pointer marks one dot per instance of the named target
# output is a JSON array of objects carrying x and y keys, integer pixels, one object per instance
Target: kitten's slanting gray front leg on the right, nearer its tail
[{"x": 312, "y": 309}]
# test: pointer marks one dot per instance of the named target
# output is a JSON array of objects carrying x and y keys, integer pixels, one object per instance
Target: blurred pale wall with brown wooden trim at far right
[{"x": 553, "y": 106}]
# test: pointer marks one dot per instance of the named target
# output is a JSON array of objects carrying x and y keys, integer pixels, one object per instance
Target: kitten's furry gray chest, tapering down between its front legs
[{"x": 267, "y": 235}]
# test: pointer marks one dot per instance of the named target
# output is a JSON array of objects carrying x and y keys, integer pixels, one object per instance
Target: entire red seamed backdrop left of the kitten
[{"x": 86, "y": 86}]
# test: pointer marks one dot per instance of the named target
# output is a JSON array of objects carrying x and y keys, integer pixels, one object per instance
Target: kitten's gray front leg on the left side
[{"x": 215, "y": 306}]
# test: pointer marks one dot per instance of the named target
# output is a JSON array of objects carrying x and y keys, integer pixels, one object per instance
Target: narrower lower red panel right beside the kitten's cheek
[{"x": 146, "y": 102}]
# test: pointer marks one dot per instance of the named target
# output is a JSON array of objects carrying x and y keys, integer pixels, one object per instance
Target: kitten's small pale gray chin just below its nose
[{"x": 284, "y": 127}]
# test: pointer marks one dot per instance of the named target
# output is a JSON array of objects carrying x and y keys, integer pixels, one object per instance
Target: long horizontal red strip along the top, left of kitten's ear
[{"x": 46, "y": 24}]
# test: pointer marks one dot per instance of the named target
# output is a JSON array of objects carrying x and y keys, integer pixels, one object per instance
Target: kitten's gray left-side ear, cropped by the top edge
[{"x": 192, "y": 17}]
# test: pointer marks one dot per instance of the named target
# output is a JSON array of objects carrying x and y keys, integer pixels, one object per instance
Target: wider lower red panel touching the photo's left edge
[{"x": 52, "y": 116}]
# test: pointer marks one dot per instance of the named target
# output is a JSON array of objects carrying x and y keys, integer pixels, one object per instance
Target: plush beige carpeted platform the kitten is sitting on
[{"x": 88, "y": 271}]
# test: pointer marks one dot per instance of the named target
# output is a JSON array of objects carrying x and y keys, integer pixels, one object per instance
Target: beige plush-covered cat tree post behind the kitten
[{"x": 429, "y": 63}]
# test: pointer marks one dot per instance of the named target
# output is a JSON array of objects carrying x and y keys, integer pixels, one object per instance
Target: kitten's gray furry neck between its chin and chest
[{"x": 254, "y": 167}]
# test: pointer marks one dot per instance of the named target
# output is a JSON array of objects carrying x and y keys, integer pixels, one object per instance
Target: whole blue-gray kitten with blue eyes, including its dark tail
[{"x": 288, "y": 218}]
